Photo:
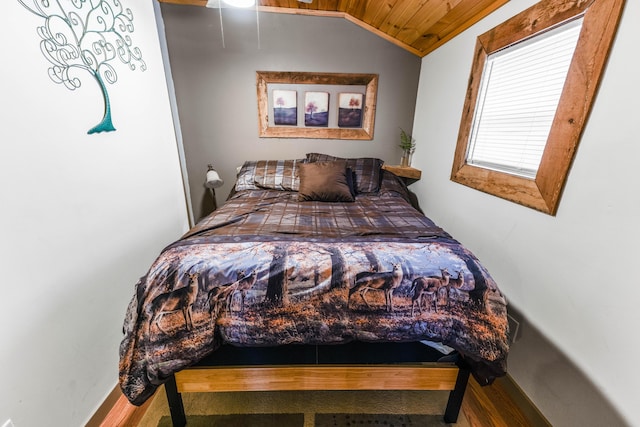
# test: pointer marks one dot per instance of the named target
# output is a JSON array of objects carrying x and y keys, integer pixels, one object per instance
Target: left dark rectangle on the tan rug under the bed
[{"x": 240, "y": 420}]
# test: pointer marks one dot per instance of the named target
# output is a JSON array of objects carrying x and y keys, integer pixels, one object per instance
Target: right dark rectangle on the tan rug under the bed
[{"x": 383, "y": 420}]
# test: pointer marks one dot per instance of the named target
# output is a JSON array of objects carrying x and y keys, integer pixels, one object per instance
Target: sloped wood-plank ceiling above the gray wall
[{"x": 419, "y": 26}]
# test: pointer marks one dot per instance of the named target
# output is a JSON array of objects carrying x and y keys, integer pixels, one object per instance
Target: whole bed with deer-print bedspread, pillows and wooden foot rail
[{"x": 316, "y": 274}]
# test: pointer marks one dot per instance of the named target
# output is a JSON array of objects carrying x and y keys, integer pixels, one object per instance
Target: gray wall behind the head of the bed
[{"x": 216, "y": 86}]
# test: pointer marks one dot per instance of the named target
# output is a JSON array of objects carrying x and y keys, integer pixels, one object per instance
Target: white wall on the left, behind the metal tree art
[{"x": 82, "y": 218}]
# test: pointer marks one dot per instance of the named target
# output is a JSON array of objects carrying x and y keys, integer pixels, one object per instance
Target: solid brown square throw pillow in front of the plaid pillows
[{"x": 324, "y": 182}]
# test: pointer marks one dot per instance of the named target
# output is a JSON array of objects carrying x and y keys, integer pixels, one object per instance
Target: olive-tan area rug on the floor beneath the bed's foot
[{"x": 382, "y": 408}]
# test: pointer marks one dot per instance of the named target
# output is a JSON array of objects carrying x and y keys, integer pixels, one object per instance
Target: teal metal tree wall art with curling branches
[{"x": 86, "y": 35}]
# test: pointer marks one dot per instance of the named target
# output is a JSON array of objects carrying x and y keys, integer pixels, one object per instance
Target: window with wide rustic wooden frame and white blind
[{"x": 520, "y": 128}]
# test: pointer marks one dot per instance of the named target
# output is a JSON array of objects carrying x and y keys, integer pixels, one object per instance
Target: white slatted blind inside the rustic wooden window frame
[{"x": 519, "y": 94}]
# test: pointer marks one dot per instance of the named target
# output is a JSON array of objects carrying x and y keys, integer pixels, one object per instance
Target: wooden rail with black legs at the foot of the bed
[{"x": 421, "y": 376}]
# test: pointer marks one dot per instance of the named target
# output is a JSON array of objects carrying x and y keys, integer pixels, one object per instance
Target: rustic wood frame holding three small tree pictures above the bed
[{"x": 316, "y": 105}]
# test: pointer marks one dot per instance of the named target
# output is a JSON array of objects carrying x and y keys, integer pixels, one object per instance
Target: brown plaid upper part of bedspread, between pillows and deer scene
[{"x": 260, "y": 214}]
